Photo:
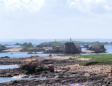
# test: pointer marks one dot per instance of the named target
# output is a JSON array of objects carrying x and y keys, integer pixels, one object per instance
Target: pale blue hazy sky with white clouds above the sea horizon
[{"x": 55, "y": 19}]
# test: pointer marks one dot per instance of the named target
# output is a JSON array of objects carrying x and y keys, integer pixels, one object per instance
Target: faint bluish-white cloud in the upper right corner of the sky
[{"x": 91, "y": 6}]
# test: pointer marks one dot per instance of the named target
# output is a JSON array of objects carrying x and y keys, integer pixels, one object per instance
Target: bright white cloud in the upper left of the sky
[{"x": 29, "y": 5}]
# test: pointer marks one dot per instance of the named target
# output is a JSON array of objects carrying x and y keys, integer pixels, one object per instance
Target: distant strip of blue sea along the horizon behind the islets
[{"x": 38, "y": 41}]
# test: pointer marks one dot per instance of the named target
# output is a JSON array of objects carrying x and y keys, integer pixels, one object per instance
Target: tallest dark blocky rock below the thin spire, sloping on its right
[{"x": 71, "y": 48}]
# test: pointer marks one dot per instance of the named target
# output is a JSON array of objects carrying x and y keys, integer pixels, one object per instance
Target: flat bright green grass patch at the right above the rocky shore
[{"x": 95, "y": 59}]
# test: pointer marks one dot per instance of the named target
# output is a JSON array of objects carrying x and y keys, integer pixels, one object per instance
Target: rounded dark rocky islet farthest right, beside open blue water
[{"x": 97, "y": 48}]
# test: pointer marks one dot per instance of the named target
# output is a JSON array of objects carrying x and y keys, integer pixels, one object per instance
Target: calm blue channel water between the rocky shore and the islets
[{"x": 26, "y": 54}]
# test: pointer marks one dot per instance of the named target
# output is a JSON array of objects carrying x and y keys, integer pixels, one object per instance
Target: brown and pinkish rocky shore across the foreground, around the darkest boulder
[{"x": 67, "y": 72}]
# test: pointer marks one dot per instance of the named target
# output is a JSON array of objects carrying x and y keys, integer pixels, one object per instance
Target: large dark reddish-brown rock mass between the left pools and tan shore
[{"x": 36, "y": 67}]
